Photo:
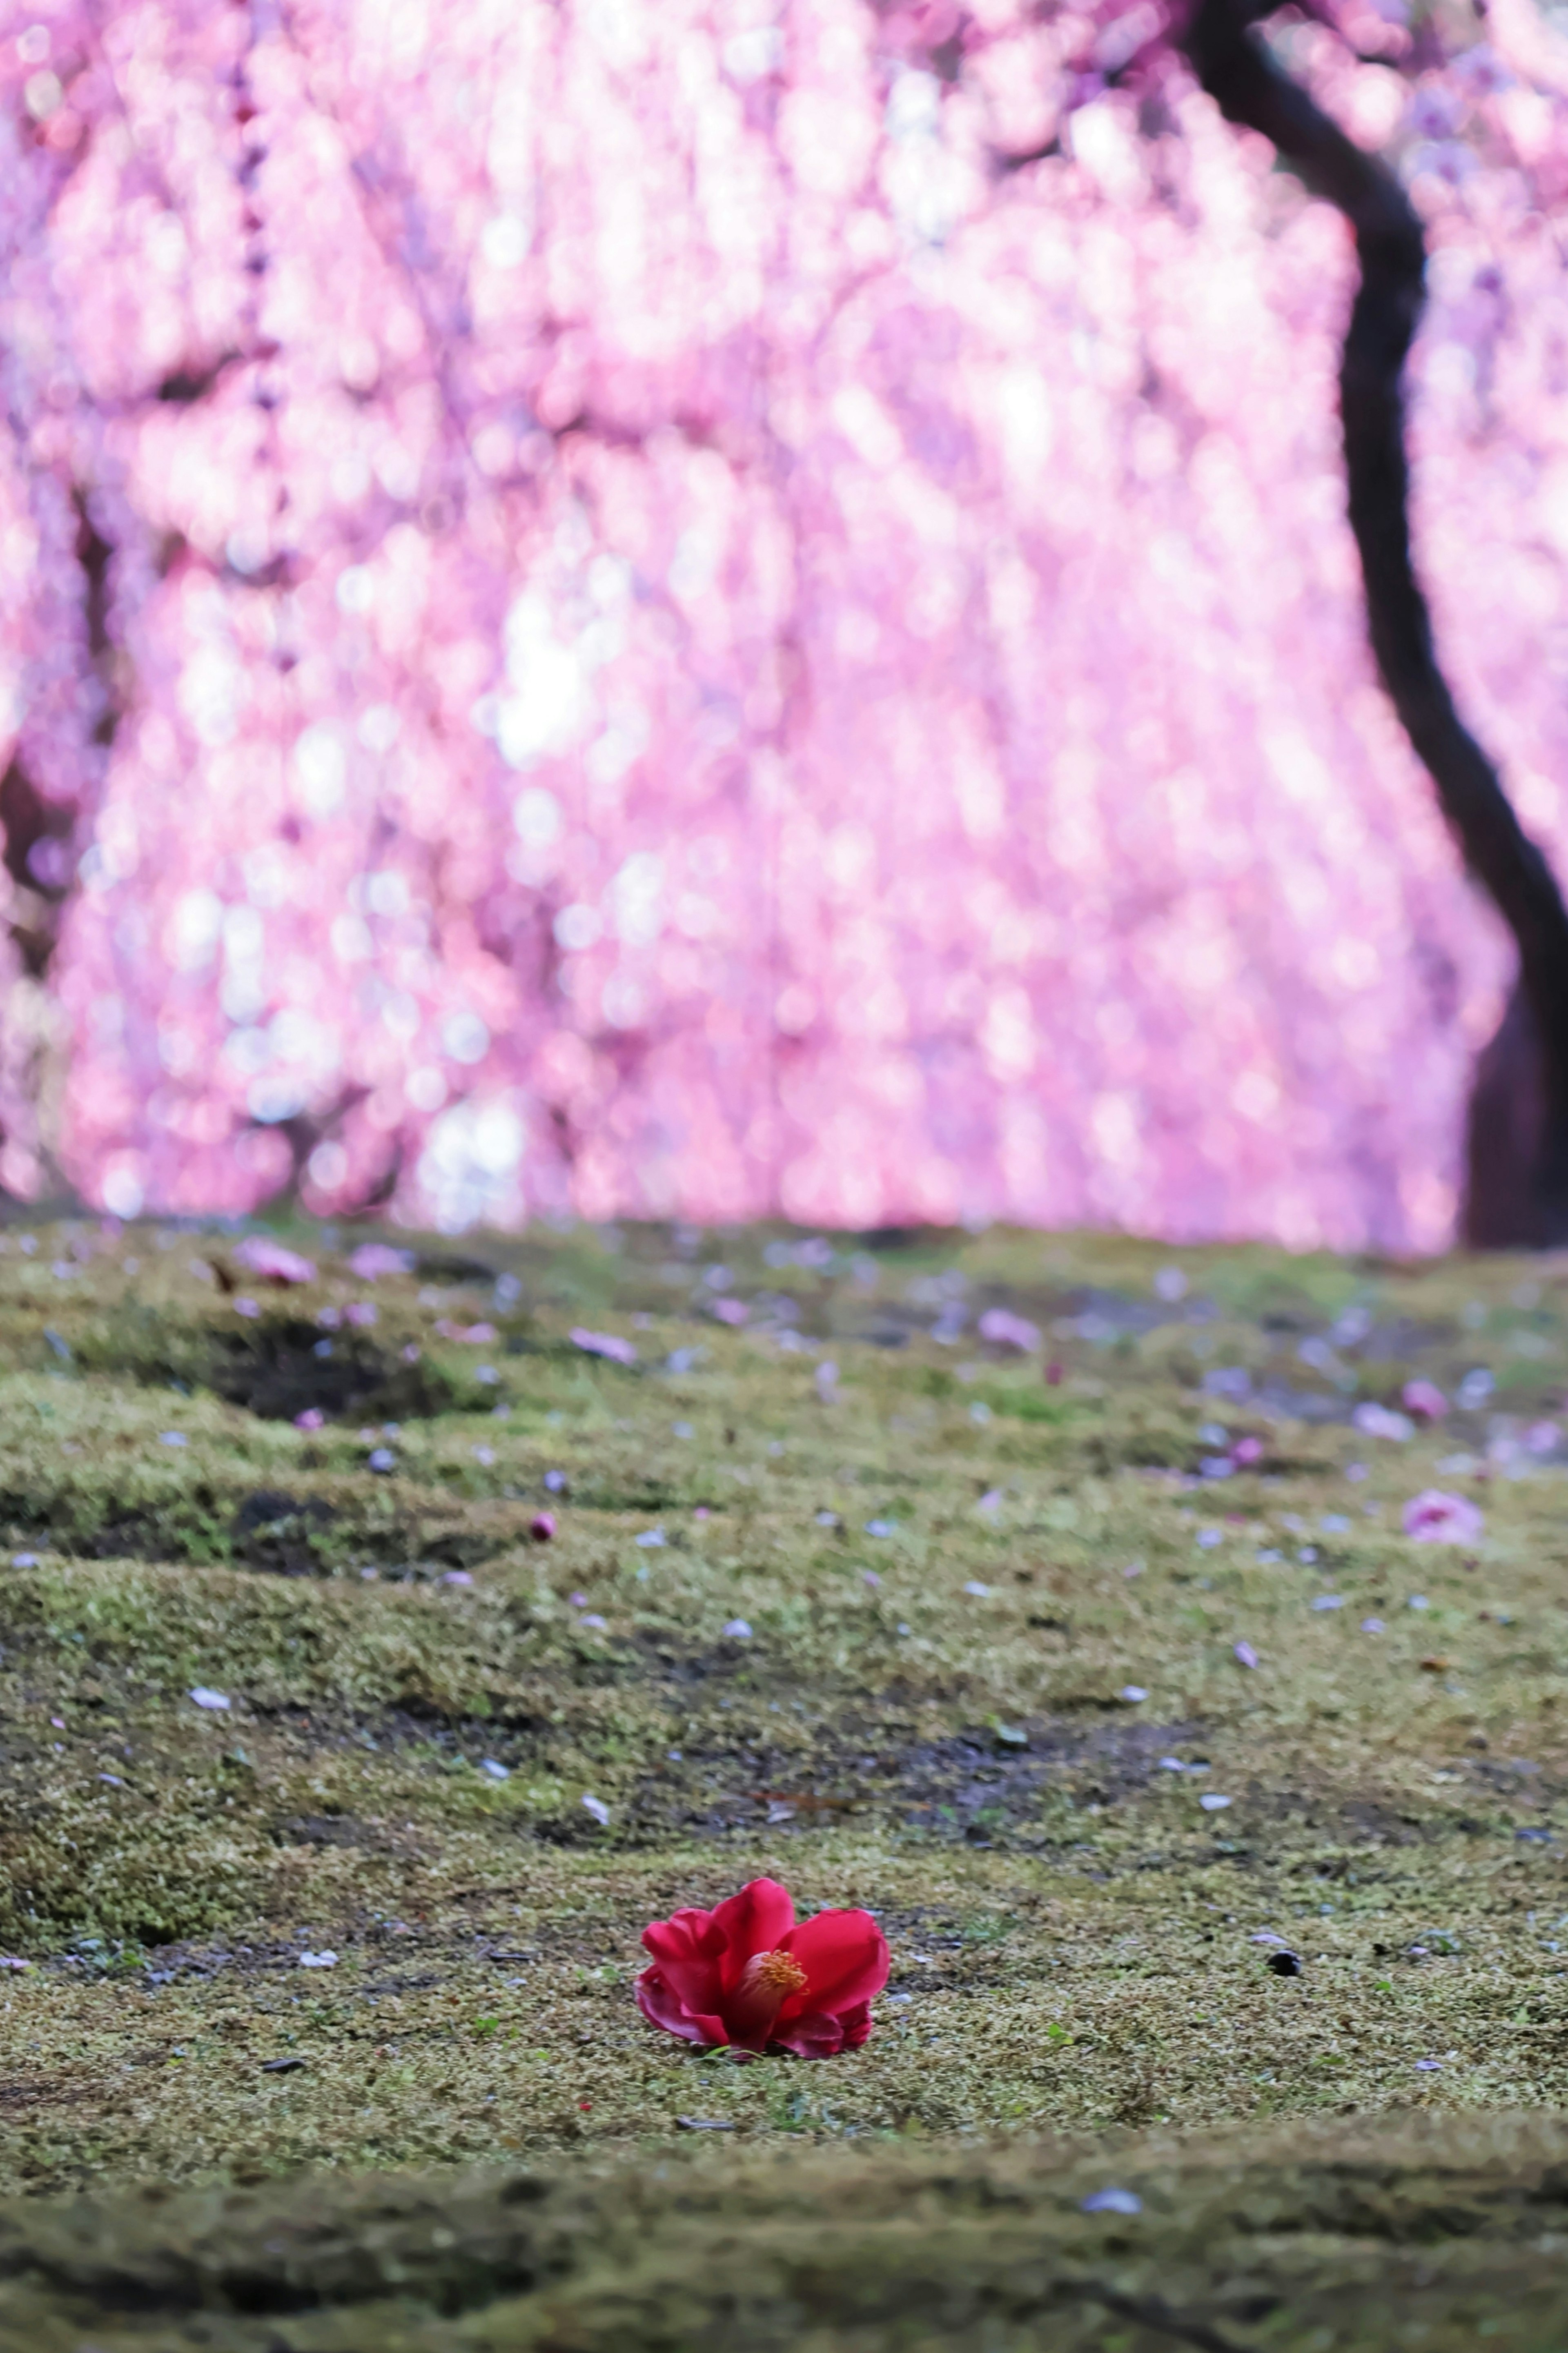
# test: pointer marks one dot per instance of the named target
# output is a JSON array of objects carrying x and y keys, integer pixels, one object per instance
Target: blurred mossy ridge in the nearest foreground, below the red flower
[{"x": 1444, "y": 2237}]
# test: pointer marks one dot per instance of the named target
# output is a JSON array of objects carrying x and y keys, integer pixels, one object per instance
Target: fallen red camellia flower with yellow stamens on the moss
[{"x": 748, "y": 1975}]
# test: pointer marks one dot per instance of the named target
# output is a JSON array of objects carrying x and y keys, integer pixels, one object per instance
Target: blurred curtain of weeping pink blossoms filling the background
[{"x": 724, "y": 608}]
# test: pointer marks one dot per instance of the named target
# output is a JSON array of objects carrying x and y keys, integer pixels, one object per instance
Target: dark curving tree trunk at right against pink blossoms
[{"x": 1520, "y": 1164}]
